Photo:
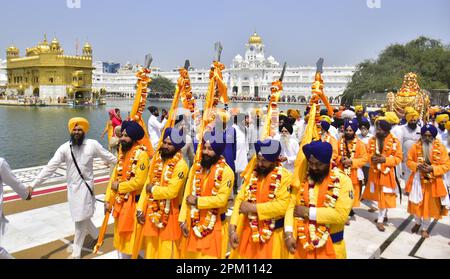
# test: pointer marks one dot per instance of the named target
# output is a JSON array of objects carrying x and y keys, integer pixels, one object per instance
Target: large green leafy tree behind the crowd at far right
[{"x": 427, "y": 57}]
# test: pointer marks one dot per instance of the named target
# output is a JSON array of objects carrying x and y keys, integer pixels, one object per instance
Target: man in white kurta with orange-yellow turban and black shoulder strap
[{"x": 80, "y": 191}]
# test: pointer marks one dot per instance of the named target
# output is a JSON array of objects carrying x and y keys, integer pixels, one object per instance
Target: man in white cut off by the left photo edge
[{"x": 8, "y": 178}]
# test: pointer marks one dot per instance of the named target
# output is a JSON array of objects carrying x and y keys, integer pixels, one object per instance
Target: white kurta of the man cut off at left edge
[{"x": 9, "y": 179}]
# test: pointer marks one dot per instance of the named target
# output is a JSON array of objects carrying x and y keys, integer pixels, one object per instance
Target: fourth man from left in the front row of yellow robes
[{"x": 270, "y": 184}]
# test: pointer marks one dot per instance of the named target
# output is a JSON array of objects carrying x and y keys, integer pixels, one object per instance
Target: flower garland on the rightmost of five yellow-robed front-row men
[{"x": 318, "y": 234}]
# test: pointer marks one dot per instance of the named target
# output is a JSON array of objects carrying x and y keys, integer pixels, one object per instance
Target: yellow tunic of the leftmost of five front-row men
[{"x": 124, "y": 243}]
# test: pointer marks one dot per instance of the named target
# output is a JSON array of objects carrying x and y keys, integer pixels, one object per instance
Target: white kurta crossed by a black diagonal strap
[{"x": 81, "y": 202}]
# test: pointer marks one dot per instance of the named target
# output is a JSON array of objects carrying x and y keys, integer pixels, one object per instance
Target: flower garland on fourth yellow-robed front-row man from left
[{"x": 268, "y": 226}]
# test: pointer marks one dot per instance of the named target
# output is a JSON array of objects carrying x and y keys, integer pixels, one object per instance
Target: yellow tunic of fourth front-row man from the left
[{"x": 274, "y": 209}]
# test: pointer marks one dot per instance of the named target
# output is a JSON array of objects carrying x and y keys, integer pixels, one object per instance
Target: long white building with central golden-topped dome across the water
[{"x": 246, "y": 77}]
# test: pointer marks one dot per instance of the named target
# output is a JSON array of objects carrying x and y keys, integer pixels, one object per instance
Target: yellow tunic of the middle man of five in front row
[{"x": 208, "y": 202}]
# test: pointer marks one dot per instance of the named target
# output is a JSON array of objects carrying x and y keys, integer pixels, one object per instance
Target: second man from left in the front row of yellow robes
[{"x": 164, "y": 242}]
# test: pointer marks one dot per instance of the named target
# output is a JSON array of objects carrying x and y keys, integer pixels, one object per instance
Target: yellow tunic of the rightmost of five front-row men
[{"x": 334, "y": 217}]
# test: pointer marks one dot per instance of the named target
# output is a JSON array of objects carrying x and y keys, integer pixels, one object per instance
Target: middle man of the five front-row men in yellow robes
[{"x": 212, "y": 185}]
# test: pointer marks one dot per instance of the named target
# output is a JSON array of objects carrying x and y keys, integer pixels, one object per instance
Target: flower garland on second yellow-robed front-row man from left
[{"x": 159, "y": 209}]
